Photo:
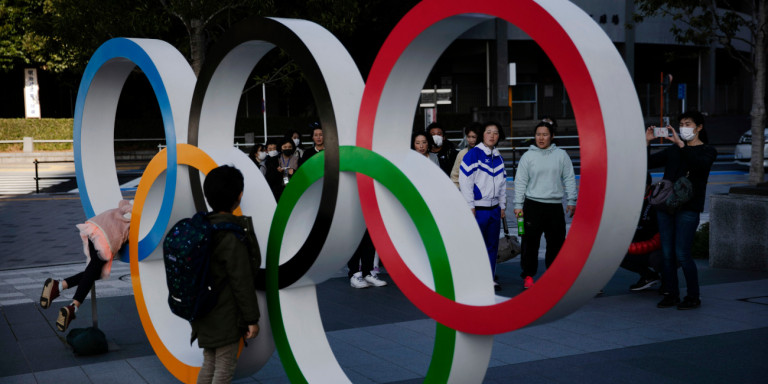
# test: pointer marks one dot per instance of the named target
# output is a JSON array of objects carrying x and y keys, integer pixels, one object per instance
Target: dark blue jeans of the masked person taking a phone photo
[{"x": 677, "y": 231}]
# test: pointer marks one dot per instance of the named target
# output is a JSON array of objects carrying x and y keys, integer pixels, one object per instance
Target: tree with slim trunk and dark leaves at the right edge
[{"x": 704, "y": 23}]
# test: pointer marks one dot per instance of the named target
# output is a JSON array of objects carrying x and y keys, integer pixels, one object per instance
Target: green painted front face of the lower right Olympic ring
[{"x": 371, "y": 164}]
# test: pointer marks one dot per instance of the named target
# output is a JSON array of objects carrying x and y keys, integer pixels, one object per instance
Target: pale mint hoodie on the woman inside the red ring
[{"x": 545, "y": 175}]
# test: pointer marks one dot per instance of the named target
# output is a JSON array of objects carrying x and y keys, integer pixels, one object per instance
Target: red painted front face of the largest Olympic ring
[{"x": 534, "y": 303}]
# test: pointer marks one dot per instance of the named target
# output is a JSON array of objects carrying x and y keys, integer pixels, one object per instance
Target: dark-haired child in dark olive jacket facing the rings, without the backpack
[{"x": 234, "y": 266}]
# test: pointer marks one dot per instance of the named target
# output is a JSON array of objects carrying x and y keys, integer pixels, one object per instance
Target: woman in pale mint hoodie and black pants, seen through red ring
[{"x": 544, "y": 176}]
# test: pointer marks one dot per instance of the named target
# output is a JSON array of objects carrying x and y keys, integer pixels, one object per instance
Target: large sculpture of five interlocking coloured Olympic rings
[{"x": 366, "y": 177}]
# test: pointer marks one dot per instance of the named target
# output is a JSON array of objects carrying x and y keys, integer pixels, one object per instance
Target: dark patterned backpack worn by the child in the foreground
[{"x": 187, "y": 252}]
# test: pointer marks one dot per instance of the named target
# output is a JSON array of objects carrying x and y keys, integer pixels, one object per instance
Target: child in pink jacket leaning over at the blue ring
[{"x": 103, "y": 235}]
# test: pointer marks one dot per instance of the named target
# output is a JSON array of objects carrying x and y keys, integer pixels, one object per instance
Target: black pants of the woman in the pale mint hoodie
[{"x": 546, "y": 219}]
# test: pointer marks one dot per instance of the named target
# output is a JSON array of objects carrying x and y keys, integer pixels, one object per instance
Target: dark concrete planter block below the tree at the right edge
[{"x": 738, "y": 237}]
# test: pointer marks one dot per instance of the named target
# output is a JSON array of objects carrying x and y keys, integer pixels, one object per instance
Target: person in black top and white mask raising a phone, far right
[{"x": 689, "y": 156}]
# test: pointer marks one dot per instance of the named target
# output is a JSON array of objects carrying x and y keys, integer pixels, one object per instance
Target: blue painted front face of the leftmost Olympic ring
[{"x": 128, "y": 49}]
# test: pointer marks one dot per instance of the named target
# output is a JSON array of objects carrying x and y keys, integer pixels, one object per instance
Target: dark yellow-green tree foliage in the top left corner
[{"x": 62, "y": 35}]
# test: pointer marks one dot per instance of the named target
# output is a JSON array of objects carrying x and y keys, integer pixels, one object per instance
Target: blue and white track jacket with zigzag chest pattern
[{"x": 483, "y": 180}]
